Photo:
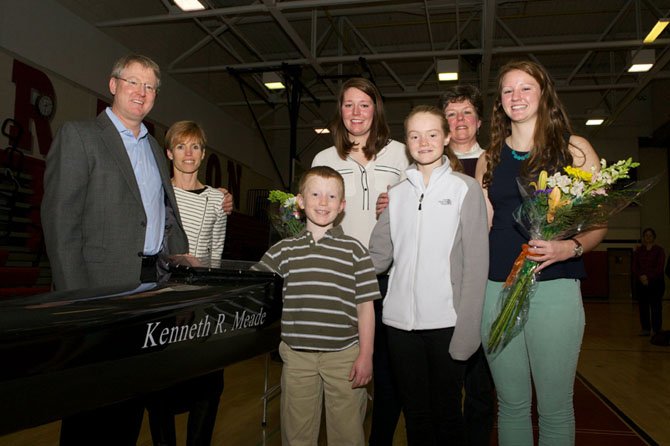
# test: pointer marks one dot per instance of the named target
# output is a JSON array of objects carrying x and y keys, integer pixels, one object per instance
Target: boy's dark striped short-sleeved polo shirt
[{"x": 323, "y": 283}]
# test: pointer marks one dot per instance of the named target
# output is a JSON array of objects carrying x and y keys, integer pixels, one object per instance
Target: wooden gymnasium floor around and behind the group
[{"x": 629, "y": 373}]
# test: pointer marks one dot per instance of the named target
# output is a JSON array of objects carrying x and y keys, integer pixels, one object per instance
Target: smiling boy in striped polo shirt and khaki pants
[{"x": 327, "y": 319}]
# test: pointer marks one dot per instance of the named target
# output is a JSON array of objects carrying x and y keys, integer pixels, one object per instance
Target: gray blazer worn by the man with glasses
[{"x": 92, "y": 214}]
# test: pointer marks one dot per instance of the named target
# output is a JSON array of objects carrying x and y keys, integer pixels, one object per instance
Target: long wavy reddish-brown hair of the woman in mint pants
[{"x": 550, "y": 149}]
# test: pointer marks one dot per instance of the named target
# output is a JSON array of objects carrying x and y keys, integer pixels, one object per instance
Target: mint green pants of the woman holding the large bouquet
[{"x": 547, "y": 349}]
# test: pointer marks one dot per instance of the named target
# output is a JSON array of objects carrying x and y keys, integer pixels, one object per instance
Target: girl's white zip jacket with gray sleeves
[{"x": 436, "y": 239}]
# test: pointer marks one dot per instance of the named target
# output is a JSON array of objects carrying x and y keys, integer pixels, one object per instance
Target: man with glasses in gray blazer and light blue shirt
[{"x": 108, "y": 212}]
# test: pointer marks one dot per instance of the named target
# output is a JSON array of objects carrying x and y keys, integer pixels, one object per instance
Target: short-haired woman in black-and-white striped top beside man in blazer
[{"x": 204, "y": 221}]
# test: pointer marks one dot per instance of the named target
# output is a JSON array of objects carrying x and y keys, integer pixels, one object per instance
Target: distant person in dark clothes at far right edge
[{"x": 648, "y": 261}]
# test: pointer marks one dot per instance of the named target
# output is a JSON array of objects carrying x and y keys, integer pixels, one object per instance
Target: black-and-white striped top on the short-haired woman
[{"x": 204, "y": 223}]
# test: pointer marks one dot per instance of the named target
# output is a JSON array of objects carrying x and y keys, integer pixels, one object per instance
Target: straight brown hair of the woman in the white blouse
[{"x": 379, "y": 132}]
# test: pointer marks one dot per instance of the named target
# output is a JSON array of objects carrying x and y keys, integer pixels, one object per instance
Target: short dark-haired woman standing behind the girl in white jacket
[{"x": 462, "y": 106}]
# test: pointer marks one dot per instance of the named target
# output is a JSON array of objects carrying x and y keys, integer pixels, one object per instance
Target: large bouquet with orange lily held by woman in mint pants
[{"x": 557, "y": 207}]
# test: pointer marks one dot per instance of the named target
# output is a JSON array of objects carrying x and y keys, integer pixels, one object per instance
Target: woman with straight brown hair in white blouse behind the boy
[{"x": 370, "y": 162}]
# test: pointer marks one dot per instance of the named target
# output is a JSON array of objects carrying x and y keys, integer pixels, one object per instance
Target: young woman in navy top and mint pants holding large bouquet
[{"x": 530, "y": 132}]
